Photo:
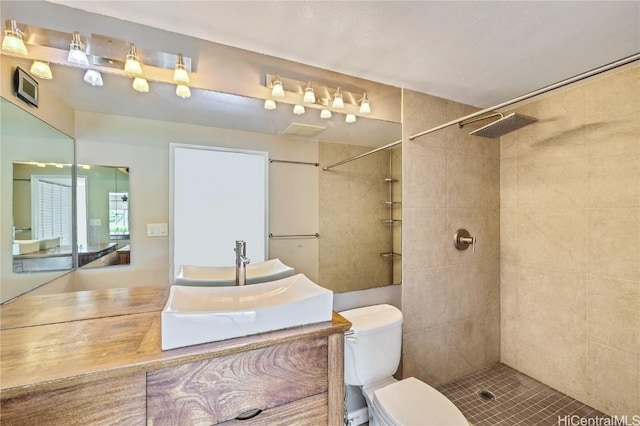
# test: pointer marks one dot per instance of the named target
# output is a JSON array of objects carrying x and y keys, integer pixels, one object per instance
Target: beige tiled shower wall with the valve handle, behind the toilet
[{"x": 450, "y": 298}]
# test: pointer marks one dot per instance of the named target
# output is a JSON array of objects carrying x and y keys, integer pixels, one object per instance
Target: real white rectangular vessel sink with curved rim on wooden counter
[{"x": 195, "y": 315}]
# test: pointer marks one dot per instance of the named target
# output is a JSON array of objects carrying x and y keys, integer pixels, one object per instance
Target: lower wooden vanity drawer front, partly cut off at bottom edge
[{"x": 309, "y": 411}]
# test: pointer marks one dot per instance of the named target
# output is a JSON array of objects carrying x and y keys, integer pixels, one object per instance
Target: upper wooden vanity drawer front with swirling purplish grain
[{"x": 216, "y": 390}]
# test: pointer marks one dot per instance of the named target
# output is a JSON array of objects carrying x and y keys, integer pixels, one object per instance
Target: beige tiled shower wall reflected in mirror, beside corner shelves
[{"x": 352, "y": 235}]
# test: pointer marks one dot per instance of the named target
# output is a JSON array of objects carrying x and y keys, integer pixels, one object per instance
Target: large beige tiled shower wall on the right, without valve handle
[{"x": 570, "y": 247}]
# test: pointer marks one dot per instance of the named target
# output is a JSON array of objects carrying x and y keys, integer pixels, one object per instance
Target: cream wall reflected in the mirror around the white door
[{"x": 143, "y": 146}]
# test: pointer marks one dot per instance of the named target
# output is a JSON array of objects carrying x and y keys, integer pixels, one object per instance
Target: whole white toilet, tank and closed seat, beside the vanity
[{"x": 371, "y": 357}]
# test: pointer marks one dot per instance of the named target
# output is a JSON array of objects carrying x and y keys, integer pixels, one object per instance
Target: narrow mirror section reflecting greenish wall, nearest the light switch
[{"x": 102, "y": 203}]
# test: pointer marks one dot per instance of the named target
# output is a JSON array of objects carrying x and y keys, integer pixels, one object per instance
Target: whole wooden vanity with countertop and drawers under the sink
[{"x": 96, "y": 368}]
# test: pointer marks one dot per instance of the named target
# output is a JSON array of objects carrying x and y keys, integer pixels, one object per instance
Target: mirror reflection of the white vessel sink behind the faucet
[{"x": 260, "y": 272}]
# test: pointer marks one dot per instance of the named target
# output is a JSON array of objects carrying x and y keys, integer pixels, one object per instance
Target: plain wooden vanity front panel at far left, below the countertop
[{"x": 107, "y": 402}]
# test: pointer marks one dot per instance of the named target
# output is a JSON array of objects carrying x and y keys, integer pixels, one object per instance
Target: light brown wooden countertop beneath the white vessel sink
[{"x": 86, "y": 341}]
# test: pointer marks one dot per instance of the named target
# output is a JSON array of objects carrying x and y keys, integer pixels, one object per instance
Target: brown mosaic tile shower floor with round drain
[{"x": 519, "y": 400}]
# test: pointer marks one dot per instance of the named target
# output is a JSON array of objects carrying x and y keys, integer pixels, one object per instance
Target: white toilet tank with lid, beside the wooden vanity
[{"x": 372, "y": 351}]
